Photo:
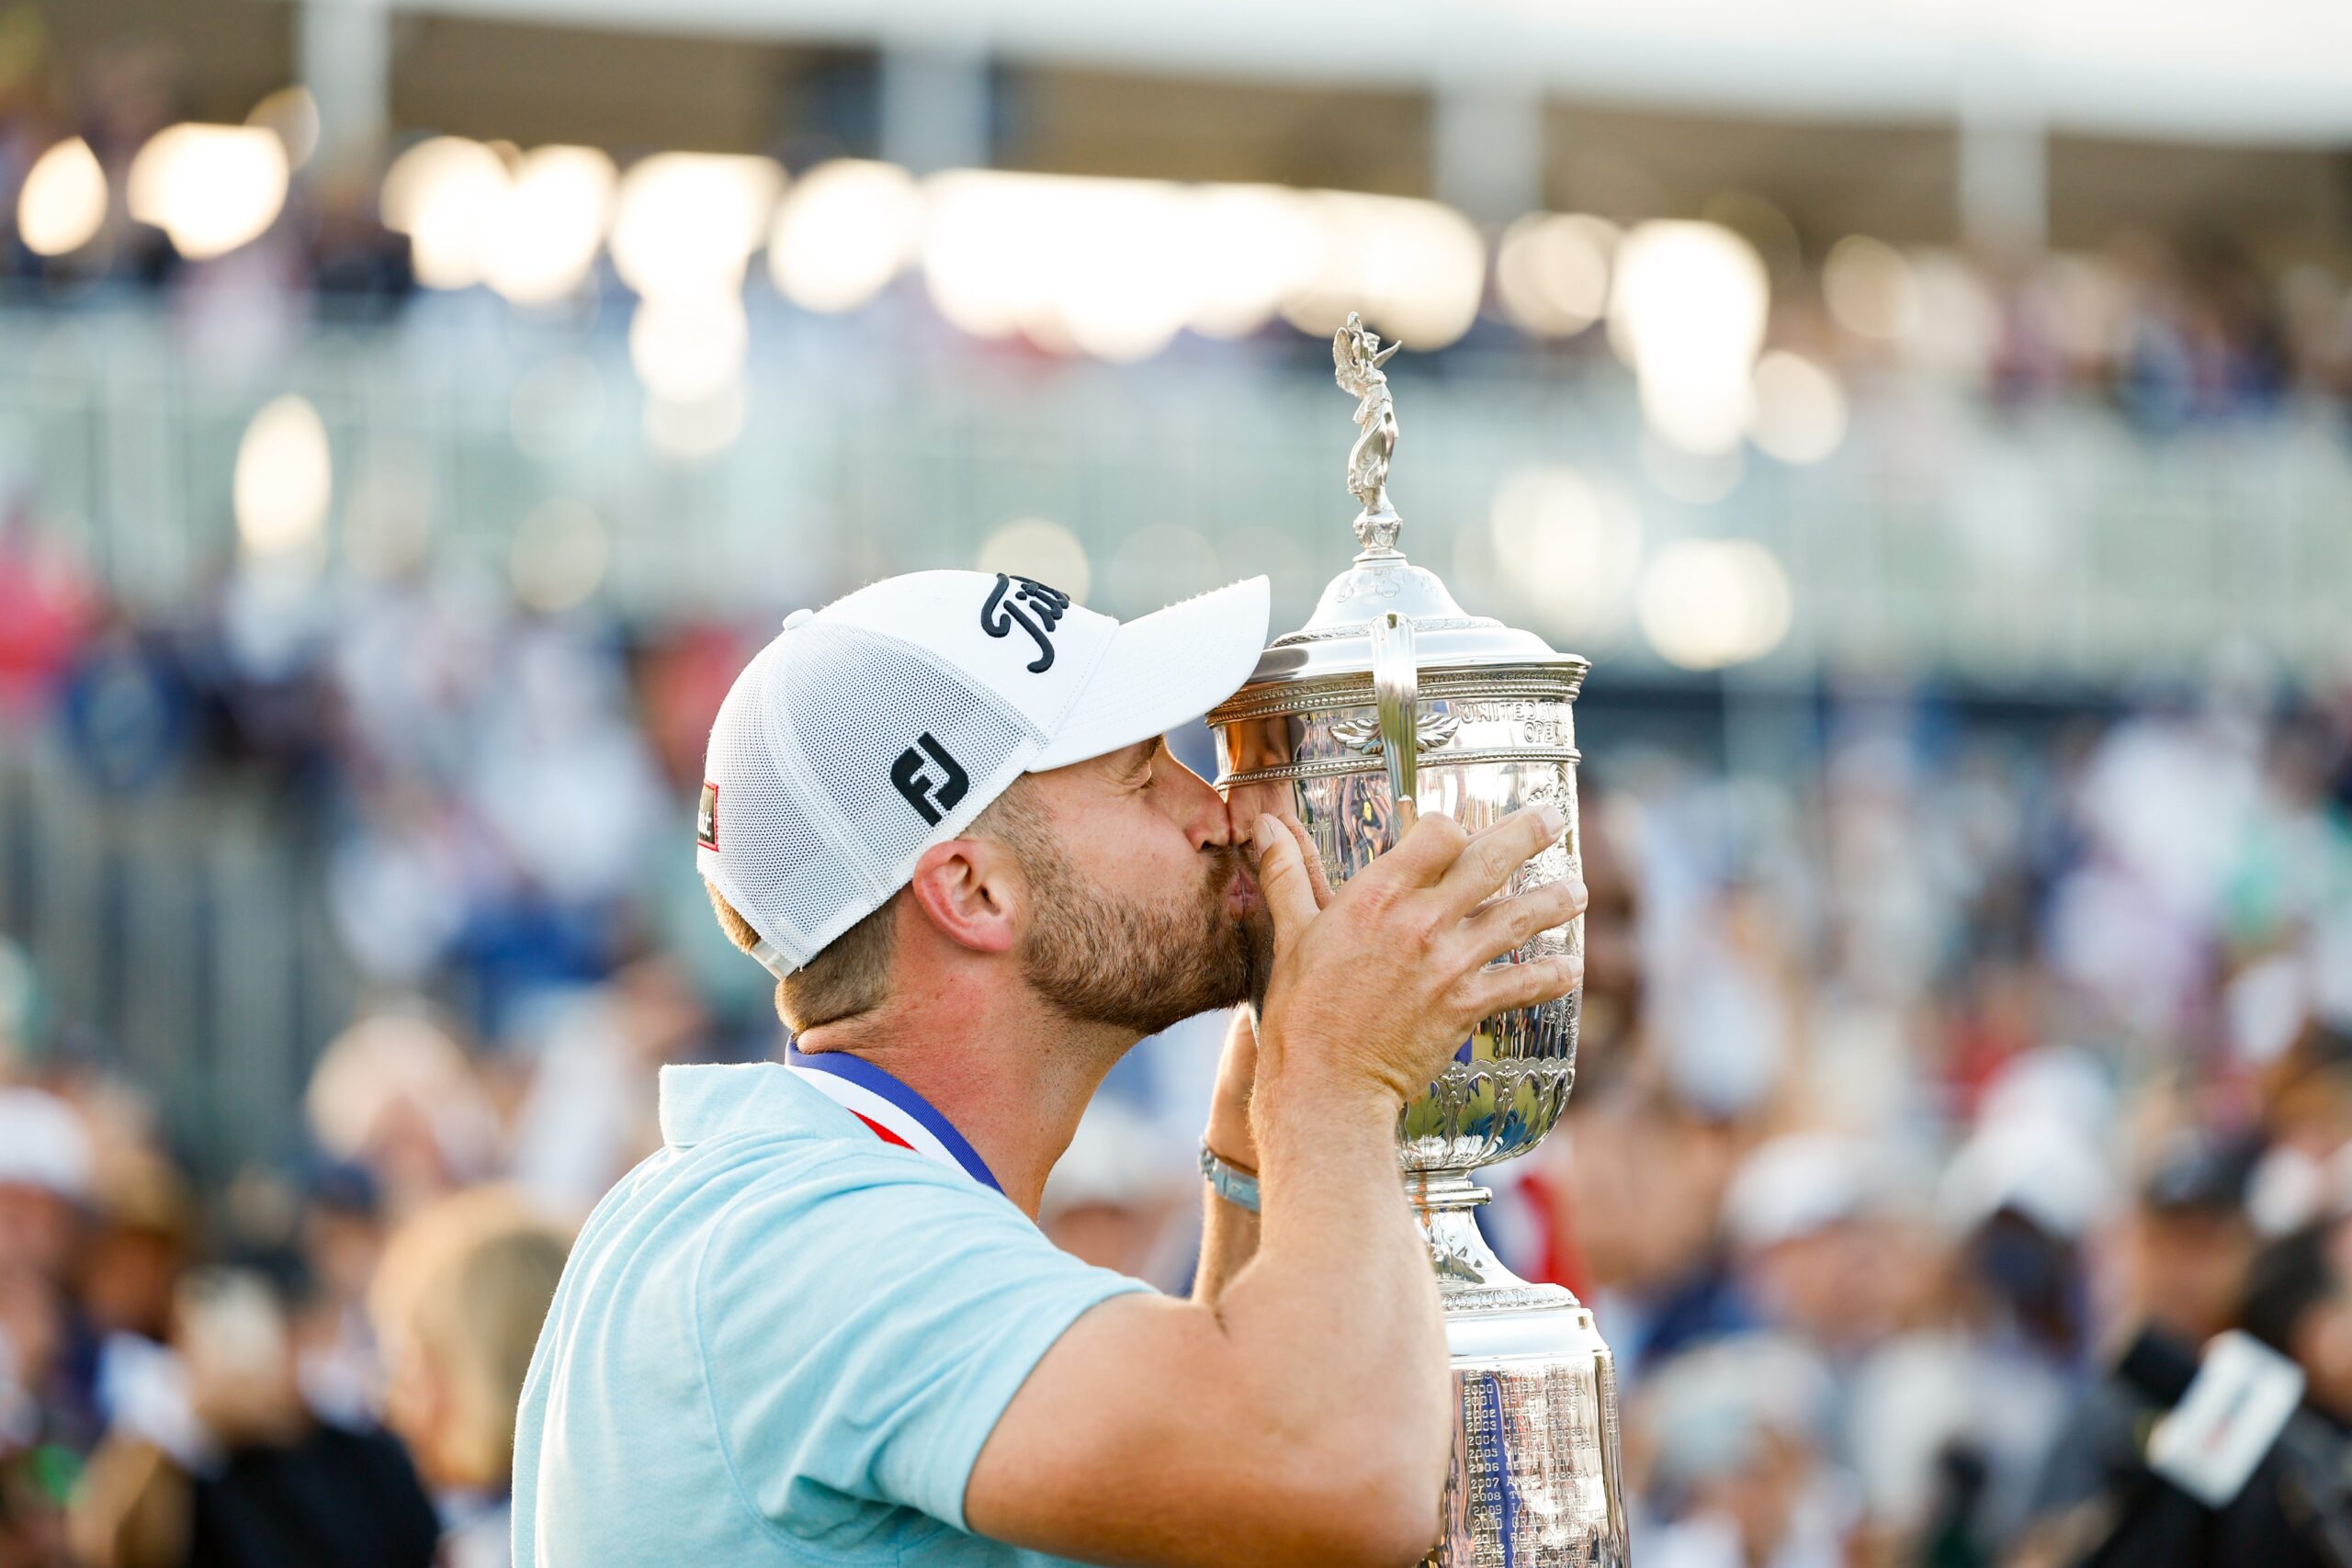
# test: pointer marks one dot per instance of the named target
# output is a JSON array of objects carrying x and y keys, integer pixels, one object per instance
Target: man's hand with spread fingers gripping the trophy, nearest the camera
[{"x": 1377, "y": 991}]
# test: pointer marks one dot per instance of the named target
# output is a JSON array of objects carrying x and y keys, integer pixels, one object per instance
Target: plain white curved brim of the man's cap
[{"x": 1161, "y": 671}]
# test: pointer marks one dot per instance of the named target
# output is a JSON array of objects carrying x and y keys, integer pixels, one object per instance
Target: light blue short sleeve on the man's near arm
[{"x": 867, "y": 1325}]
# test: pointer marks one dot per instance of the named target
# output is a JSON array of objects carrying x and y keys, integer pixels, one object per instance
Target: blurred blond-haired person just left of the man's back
[{"x": 457, "y": 1306}]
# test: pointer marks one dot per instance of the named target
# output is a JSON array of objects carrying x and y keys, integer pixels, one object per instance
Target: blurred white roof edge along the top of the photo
[{"x": 2186, "y": 69}]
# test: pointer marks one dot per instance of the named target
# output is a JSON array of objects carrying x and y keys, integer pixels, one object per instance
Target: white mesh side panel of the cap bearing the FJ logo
[{"x": 888, "y": 737}]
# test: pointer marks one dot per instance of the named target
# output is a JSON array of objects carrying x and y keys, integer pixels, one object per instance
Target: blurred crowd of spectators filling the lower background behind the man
[{"x": 1913, "y": 1087}]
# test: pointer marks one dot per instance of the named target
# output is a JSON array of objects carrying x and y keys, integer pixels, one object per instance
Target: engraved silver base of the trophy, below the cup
[{"x": 1537, "y": 1473}]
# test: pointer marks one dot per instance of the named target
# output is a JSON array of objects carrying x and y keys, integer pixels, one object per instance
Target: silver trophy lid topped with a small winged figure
[{"x": 1339, "y": 636}]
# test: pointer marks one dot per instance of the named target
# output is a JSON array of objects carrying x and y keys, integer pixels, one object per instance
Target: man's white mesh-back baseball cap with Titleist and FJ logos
[{"x": 888, "y": 721}]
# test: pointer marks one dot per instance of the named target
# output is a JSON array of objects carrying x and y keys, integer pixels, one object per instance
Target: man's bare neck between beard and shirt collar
[{"x": 1010, "y": 1073}]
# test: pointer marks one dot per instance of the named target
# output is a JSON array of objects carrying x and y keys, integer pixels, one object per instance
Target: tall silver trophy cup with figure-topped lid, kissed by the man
[{"x": 1384, "y": 704}]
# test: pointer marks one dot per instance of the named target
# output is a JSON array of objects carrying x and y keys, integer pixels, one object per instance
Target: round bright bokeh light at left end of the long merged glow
[{"x": 843, "y": 234}]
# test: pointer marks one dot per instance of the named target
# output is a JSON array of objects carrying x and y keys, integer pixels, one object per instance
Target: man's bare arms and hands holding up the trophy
[{"x": 1302, "y": 1414}]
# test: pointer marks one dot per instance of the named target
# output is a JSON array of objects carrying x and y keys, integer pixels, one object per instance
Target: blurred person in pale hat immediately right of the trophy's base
[{"x": 1730, "y": 1447}]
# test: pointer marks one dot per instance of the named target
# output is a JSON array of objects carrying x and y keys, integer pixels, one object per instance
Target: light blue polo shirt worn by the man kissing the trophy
[{"x": 782, "y": 1341}]
